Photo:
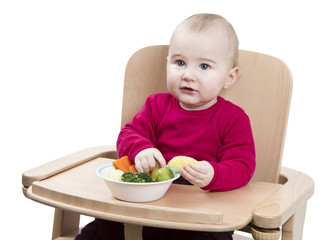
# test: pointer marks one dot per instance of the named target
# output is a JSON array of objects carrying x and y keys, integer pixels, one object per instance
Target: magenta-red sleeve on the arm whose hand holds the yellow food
[{"x": 236, "y": 156}]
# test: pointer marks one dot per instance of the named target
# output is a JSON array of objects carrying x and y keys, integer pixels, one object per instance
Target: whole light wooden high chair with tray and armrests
[{"x": 273, "y": 202}]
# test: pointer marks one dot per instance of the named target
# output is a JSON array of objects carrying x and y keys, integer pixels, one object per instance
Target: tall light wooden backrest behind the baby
[{"x": 263, "y": 90}]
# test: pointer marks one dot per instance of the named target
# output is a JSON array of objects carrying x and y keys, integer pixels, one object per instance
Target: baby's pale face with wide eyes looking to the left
[{"x": 198, "y": 67}]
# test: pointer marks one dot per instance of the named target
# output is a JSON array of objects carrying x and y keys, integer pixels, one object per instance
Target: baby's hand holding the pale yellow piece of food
[{"x": 199, "y": 175}]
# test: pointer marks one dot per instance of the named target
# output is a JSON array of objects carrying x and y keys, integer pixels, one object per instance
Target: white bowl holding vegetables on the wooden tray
[{"x": 134, "y": 192}]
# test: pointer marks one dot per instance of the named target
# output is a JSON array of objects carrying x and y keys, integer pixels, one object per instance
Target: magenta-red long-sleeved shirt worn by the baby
[{"x": 221, "y": 135}]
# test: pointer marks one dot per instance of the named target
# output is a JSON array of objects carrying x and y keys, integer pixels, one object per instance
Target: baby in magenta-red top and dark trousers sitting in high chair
[{"x": 191, "y": 120}]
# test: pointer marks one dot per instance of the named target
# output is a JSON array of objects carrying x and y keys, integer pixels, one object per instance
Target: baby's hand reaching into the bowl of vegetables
[{"x": 146, "y": 159}]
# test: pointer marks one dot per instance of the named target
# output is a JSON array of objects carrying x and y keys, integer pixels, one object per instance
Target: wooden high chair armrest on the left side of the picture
[{"x": 54, "y": 167}]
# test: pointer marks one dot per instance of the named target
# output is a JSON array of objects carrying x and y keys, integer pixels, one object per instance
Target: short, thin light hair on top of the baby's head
[{"x": 206, "y": 21}]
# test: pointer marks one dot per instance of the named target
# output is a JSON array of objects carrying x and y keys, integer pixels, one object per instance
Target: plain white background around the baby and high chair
[{"x": 62, "y": 68}]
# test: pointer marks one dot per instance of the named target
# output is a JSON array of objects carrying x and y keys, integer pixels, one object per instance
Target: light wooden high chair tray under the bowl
[{"x": 79, "y": 189}]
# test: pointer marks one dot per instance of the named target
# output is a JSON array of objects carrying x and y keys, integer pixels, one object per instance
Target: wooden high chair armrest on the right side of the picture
[{"x": 278, "y": 208}]
